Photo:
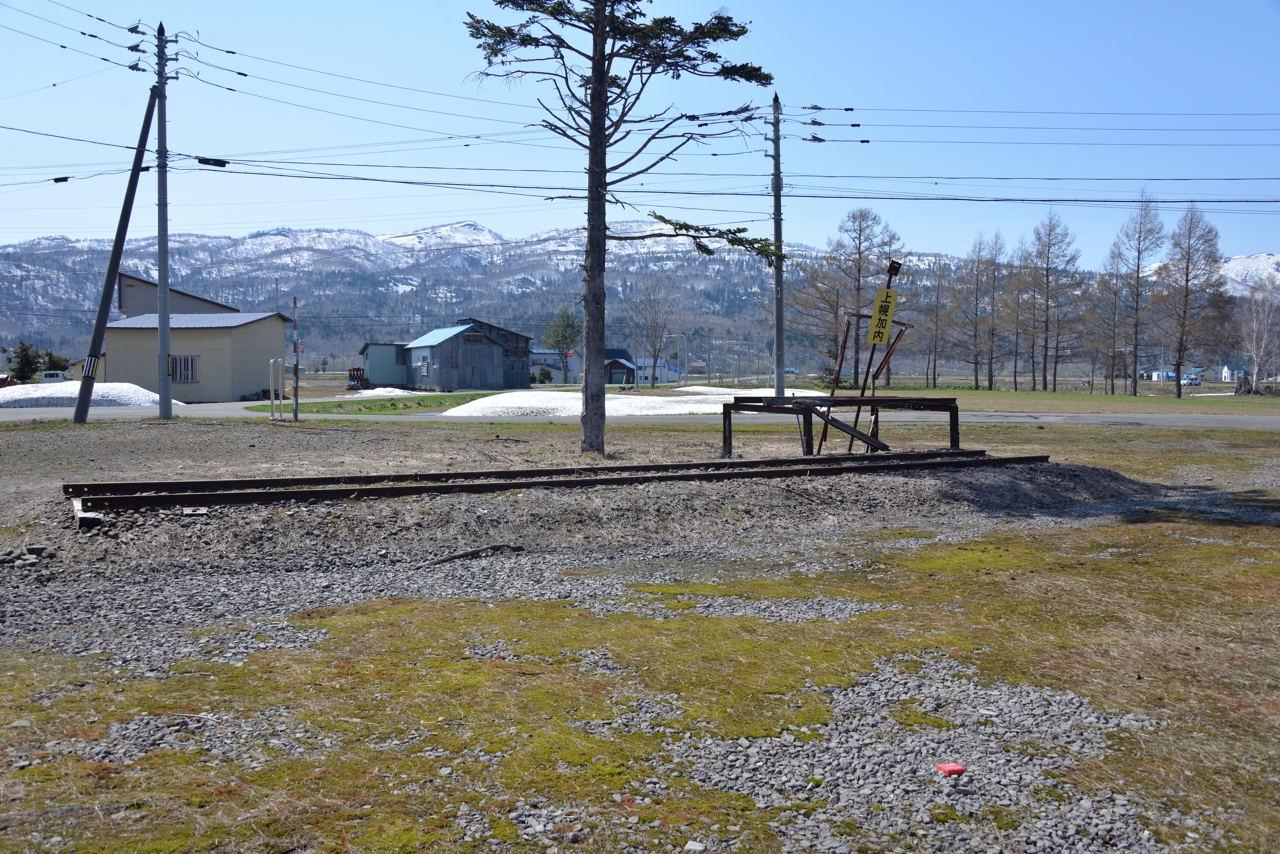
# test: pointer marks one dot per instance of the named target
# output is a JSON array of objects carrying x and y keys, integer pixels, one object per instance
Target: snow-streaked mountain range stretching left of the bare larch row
[{"x": 353, "y": 285}]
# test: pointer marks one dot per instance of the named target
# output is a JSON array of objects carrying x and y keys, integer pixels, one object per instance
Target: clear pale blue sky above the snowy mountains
[{"x": 952, "y": 95}]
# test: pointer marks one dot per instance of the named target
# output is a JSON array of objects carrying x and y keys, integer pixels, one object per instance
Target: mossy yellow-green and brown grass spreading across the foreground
[{"x": 1171, "y": 615}]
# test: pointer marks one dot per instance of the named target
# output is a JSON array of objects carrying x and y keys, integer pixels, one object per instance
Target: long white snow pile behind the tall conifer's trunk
[{"x": 708, "y": 401}]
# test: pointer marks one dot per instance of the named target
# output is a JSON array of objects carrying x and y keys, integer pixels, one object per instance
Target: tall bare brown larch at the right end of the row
[{"x": 1191, "y": 294}]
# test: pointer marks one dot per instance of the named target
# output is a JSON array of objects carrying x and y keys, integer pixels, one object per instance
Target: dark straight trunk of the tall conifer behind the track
[{"x": 593, "y": 281}]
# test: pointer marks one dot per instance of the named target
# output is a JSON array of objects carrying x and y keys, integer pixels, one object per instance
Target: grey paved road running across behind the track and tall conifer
[{"x": 240, "y": 410}]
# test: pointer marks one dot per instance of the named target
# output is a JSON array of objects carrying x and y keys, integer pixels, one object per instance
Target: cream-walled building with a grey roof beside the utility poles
[{"x": 216, "y": 358}]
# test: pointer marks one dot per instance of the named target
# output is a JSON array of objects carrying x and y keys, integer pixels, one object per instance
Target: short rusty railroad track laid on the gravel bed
[{"x": 95, "y": 497}]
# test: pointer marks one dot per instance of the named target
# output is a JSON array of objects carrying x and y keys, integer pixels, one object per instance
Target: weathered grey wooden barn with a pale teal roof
[{"x": 470, "y": 355}]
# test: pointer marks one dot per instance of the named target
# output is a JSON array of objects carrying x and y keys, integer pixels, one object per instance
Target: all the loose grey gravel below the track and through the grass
[{"x": 135, "y": 591}]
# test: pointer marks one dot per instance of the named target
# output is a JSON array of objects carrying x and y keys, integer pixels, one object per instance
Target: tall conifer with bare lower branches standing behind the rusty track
[{"x": 601, "y": 57}]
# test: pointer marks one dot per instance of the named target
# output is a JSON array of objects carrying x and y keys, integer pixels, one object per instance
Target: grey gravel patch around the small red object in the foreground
[{"x": 874, "y": 779}]
